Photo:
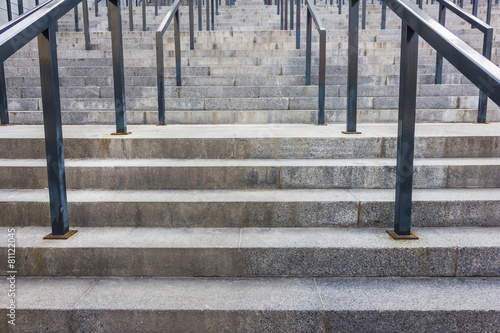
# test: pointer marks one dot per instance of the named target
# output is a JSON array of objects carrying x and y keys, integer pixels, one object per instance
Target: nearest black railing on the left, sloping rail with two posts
[{"x": 42, "y": 24}]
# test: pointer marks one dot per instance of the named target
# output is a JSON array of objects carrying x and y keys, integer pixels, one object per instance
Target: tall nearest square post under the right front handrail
[{"x": 406, "y": 130}]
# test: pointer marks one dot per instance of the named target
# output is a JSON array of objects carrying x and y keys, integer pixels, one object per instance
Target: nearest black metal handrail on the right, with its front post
[{"x": 477, "y": 68}]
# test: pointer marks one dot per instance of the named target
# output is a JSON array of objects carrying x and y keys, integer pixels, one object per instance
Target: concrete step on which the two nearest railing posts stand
[{"x": 258, "y": 252}]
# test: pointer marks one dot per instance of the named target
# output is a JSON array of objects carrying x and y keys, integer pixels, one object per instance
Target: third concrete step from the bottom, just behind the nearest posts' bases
[{"x": 254, "y": 208}]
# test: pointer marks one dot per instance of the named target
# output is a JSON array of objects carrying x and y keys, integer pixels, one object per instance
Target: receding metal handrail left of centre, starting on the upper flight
[{"x": 172, "y": 14}]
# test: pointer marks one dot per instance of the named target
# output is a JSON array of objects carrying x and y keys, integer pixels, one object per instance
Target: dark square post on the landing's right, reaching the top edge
[{"x": 352, "y": 67}]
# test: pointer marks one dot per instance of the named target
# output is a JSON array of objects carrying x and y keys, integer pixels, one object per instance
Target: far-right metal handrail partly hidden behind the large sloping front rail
[{"x": 486, "y": 29}]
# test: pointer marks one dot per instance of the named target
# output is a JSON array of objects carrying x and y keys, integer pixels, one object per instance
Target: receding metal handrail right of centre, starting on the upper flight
[{"x": 312, "y": 15}]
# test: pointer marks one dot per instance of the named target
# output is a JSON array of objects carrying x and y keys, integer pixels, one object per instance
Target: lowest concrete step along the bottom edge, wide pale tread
[{"x": 254, "y": 305}]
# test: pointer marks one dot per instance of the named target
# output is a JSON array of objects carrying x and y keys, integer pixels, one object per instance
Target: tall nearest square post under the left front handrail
[{"x": 54, "y": 150}]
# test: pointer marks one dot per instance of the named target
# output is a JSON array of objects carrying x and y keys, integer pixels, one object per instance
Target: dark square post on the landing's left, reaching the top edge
[{"x": 118, "y": 67}]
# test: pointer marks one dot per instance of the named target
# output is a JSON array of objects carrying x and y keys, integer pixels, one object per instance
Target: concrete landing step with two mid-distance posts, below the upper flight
[{"x": 241, "y": 142}]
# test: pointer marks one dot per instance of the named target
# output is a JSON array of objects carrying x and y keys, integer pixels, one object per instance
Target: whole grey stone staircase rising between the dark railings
[{"x": 241, "y": 215}]
